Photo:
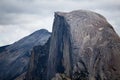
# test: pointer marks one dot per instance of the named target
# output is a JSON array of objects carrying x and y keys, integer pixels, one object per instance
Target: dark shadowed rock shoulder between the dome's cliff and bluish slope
[{"x": 38, "y": 63}]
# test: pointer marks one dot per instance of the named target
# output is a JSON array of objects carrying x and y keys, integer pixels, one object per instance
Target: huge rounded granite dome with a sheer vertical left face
[{"x": 84, "y": 46}]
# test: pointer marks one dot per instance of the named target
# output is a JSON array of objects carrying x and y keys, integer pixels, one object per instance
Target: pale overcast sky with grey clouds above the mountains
[{"x": 19, "y": 18}]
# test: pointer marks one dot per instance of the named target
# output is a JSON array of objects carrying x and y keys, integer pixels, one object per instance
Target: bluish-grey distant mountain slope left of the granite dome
[{"x": 14, "y": 58}]
